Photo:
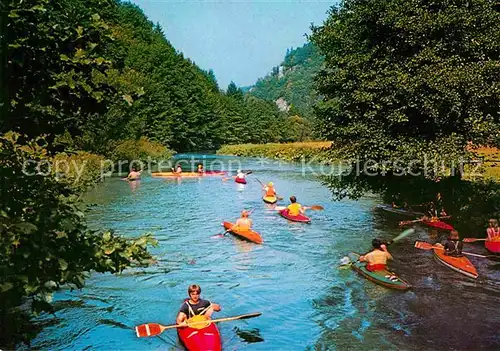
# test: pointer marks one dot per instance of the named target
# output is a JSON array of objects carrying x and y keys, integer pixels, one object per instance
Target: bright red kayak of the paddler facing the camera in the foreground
[{"x": 202, "y": 338}]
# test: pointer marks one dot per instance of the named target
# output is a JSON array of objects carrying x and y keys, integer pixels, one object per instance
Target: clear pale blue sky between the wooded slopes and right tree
[{"x": 240, "y": 40}]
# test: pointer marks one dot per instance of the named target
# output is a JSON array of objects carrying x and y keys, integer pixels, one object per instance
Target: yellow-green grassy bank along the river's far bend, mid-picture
[{"x": 289, "y": 151}]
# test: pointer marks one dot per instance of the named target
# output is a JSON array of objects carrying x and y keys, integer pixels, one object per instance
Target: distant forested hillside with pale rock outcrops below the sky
[{"x": 292, "y": 81}]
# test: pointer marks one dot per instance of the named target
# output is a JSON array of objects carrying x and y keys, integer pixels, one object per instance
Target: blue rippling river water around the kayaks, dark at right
[{"x": 307, "y": 302}]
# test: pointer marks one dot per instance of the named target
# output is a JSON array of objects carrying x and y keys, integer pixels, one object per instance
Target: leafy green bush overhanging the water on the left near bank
[{"x": 44, "y": 240}]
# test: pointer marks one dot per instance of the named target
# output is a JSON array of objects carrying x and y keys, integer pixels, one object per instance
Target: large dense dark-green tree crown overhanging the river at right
[{"x": 405, "y": 77}]
